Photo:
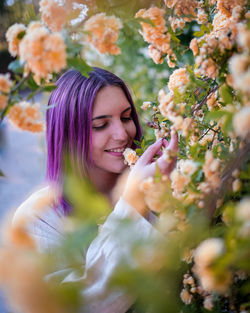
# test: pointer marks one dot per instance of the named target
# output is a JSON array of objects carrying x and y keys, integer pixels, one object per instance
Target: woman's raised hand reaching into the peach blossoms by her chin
[{"x": 146, "y": 167}]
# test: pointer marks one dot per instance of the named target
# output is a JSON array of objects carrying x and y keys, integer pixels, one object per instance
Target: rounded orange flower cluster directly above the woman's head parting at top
[{"x": 103, "y": 33}]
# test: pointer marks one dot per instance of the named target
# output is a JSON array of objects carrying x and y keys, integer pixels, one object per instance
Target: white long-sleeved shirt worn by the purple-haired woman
[{"x": 105, "y": 254}]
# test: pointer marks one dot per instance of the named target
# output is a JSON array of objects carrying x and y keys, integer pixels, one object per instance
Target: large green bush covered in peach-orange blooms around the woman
[{"x": 203, "y": 209}]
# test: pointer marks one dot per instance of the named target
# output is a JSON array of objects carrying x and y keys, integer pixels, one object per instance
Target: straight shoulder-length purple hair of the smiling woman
[{"x": 69, "y": 122}]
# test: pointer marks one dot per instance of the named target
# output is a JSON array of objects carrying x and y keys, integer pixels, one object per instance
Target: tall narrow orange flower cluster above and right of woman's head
[{"x": 156, "y": 35}]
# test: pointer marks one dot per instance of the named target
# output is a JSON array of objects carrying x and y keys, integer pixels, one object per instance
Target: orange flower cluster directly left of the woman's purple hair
[{"x": 26, "y": 117}]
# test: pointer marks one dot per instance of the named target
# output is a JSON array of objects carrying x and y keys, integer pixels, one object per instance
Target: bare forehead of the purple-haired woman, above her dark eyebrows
[{"x": 110, "y": 100}]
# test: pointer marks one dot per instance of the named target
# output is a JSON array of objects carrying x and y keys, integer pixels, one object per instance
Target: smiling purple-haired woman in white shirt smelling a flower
[{"x": 94, "y": 120}]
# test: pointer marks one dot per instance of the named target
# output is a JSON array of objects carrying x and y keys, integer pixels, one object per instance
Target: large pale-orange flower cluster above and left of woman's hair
[{"x": 43, "y": 52}]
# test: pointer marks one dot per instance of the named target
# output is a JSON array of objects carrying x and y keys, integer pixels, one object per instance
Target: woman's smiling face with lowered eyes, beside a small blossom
[{"x": 113, "y": 129}]
